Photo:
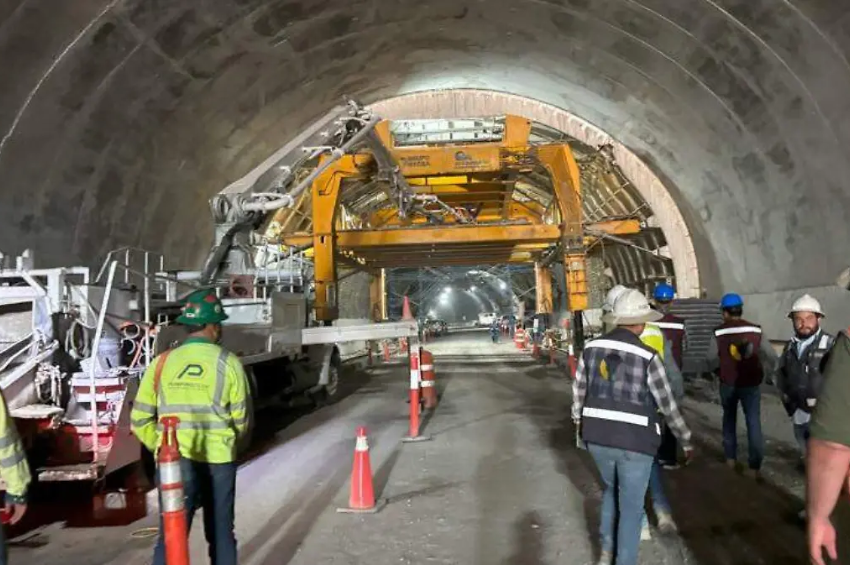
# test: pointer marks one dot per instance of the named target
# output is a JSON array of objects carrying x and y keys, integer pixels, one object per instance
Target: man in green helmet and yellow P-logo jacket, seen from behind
[{"x": 205, "y": 386}]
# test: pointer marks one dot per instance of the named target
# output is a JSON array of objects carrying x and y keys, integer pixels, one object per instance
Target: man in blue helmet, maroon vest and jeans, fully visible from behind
[{"x": 741, "y": 357}]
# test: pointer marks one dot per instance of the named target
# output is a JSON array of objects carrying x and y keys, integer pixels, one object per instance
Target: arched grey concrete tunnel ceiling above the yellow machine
[{"x": 118, "y": 119}]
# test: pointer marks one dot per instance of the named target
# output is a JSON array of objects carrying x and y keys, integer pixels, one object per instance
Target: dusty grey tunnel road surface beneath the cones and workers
[{"x": 501, "y": 482}]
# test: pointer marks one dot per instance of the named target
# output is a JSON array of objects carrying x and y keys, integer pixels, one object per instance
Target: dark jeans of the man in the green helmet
[{"x": 211, "y": 486}]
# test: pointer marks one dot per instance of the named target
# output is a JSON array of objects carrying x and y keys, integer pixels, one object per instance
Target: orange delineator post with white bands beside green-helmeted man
[{"x": 172, "y": 500}]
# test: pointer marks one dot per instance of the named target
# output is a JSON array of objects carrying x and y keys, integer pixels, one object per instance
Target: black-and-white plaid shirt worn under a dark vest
[{"x": 656, "y": 381}]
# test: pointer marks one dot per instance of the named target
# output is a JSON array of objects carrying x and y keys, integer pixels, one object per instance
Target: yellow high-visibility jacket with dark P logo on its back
[{"x": 203, "y": 385}]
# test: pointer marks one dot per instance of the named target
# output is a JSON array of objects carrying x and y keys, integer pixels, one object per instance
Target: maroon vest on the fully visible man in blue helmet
[{"x": 734, "y": 339}]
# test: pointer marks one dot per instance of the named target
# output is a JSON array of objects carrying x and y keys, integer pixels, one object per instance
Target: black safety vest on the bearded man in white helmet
[{"x": 802, "y": 377}]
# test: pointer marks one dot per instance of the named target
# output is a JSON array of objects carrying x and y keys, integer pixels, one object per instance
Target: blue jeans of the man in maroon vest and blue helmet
[{"x": 750, "y": 399}]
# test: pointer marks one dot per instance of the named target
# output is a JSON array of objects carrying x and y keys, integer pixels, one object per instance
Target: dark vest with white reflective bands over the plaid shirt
[{"x": 619, "y": 409}]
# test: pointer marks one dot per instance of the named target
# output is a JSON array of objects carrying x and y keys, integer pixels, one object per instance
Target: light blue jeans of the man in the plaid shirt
[{"x": 629, "y": 472}]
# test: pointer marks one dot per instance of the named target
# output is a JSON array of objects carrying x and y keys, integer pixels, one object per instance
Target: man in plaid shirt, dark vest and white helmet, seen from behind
[{"x": 620, "y": 387}]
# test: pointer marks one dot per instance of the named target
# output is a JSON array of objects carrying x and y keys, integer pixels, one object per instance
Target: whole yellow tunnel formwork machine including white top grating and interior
[{"x": 467, "y": 199}]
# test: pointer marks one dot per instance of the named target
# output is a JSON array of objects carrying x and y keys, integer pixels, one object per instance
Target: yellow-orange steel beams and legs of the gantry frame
[{"x": 508, "y": 227}]
